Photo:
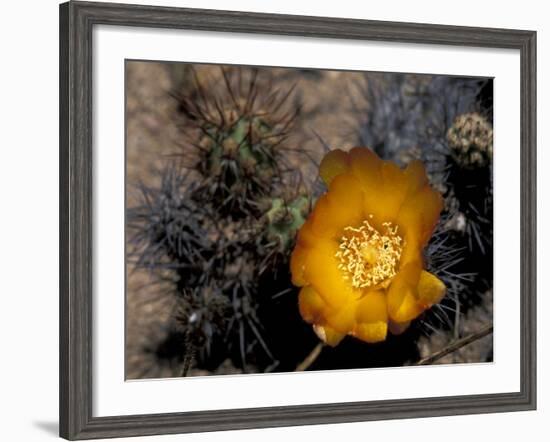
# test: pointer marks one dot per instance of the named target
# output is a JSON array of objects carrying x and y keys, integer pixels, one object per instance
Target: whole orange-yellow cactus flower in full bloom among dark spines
[{"x": 359, "y": 256}]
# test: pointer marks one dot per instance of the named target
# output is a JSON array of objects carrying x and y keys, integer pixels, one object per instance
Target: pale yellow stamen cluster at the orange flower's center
[{"x": 367, "y": 256}]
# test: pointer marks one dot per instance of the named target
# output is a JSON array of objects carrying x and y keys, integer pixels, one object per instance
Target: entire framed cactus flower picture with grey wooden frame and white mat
[{"x": 271, "y": 220}]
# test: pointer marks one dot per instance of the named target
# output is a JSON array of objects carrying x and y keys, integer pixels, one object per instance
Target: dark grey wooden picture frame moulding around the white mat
[{"x": 77, "y": 20}]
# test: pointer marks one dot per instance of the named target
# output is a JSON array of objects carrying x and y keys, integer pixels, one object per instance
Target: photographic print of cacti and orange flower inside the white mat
[{"x": 287, "y": 219}]
